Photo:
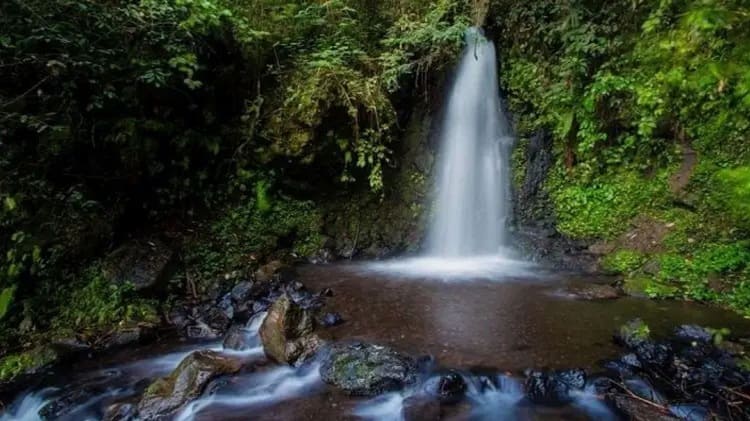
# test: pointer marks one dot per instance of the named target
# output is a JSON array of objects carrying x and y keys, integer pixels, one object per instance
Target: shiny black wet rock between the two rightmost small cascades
[{"x": 554, "y": 388}]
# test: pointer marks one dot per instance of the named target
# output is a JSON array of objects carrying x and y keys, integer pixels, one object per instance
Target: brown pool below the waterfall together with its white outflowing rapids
[{"x": 498, "y": 324}]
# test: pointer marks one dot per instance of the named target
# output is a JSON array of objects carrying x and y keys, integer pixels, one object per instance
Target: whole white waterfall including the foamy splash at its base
[{"x": 468, "y": 237}]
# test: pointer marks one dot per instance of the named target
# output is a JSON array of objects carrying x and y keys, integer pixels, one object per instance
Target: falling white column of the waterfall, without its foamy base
[{"x": 473, "y": 178}]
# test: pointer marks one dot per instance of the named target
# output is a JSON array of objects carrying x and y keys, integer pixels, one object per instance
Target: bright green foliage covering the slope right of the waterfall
[{"x": 648, "y": 103}]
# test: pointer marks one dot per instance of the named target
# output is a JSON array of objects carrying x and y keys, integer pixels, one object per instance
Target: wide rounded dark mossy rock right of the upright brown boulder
[{"x": 367, "y": 370}]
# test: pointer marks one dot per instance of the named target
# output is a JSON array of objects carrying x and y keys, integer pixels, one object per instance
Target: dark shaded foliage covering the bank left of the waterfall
[{"x": 130, "y": 115}]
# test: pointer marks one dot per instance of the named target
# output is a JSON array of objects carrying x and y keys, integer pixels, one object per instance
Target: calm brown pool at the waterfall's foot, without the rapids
[{"x": 510, "y": 325}]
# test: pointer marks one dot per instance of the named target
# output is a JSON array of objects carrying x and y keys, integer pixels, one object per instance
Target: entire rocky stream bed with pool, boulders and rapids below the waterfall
[{"x": 344, "y": 342}]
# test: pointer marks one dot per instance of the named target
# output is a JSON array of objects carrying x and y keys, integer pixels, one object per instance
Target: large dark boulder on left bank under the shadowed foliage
[{"x": 140, "y": 262}]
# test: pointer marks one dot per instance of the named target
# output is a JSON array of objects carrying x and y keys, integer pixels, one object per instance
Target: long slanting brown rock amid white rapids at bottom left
[{"x": 167, "y": 395}]
